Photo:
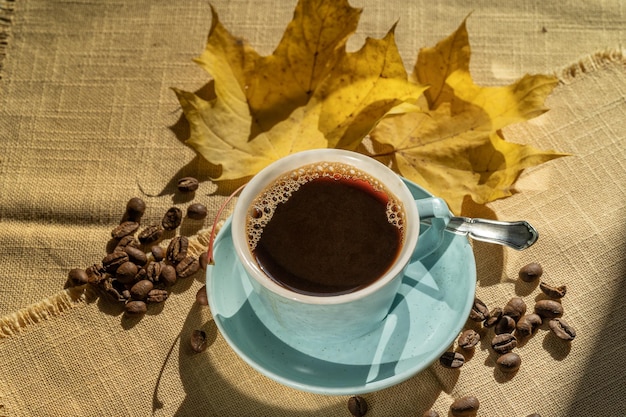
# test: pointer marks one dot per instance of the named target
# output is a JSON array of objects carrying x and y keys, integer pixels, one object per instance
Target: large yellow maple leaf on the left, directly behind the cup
[{"x": 350, "y": 92}]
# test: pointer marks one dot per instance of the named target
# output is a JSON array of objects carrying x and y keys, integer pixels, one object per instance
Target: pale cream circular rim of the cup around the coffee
[{"x": 293, "y": 161}]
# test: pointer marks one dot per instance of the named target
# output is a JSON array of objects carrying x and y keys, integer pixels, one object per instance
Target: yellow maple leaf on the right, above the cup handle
[{"x": 455, "y": 146}]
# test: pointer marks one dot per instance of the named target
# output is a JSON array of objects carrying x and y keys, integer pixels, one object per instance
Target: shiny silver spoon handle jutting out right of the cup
[{"x": 517, "y": 235}]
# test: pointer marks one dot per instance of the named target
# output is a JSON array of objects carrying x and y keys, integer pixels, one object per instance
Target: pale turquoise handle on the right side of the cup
[{"x": 436, "y": 210}]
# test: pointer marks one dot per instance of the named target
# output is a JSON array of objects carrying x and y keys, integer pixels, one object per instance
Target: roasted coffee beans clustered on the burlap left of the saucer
[{"x": 138, "y": 271}]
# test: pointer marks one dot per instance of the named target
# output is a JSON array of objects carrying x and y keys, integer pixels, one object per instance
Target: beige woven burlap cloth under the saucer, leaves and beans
[{"x": 88, "y": 120}]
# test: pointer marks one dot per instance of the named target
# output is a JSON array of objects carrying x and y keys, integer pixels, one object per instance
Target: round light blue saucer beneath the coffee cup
[{"x": 428, "y": 313}]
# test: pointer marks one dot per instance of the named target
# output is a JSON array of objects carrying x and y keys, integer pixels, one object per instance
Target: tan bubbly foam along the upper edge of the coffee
[{"x": 280, "y": 190}]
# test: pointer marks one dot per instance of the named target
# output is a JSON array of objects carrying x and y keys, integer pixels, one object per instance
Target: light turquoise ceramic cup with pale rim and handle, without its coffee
[{"x": 337, "y": 318}]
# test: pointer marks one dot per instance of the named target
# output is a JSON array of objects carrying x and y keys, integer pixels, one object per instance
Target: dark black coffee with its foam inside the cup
[{"x": 325, "y": 230}]
